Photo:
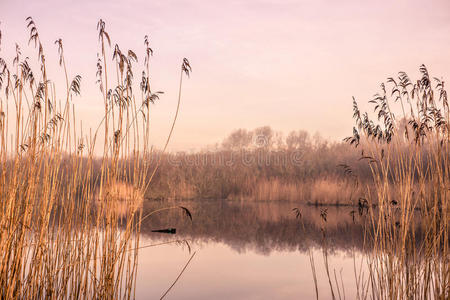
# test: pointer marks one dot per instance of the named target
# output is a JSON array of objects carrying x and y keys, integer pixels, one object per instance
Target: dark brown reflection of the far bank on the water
[{"x": 262, "y": 227}]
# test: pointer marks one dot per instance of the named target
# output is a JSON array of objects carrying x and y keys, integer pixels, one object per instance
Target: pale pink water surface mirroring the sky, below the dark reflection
[{"x": 219, "y": 272}]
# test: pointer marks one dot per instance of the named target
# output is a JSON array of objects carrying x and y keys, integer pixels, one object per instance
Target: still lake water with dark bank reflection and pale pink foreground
[{"x": 249, "y": 251}]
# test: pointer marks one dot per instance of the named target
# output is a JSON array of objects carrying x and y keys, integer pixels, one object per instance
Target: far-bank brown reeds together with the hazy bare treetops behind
[{"x": 312, "y": 170}]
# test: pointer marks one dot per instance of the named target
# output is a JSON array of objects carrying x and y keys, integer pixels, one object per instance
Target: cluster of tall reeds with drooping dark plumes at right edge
[{"x": 408, "y": 154}]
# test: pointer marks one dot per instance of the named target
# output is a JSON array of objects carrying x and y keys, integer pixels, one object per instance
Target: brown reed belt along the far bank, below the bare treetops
[{"x": 296, "y": 174}]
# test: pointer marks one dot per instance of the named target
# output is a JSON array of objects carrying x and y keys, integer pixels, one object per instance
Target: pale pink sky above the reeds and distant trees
[{"x": 288, "y": 64}]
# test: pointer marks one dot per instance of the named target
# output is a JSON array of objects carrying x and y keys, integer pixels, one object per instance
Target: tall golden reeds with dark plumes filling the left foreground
[{"x": 69, "y": 220}]
